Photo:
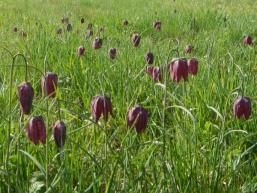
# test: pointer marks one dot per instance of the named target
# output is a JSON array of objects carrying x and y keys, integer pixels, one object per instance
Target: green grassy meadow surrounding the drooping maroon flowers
[{"x": 193, "y": 143}]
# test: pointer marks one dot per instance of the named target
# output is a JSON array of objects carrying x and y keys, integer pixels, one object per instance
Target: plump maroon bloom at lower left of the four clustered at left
[{"x": 36, "y": 130}]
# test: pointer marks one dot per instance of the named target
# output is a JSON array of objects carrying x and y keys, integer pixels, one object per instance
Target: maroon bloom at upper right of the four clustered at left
[{"x": 49, "y": 84}]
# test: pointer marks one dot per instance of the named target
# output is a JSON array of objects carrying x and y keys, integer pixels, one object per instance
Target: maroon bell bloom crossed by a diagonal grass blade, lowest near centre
[{"x": 137, "y": 117}]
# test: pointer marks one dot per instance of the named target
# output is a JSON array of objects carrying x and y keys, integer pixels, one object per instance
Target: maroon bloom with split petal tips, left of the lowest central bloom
[{"x": 101, "y": 105}]
